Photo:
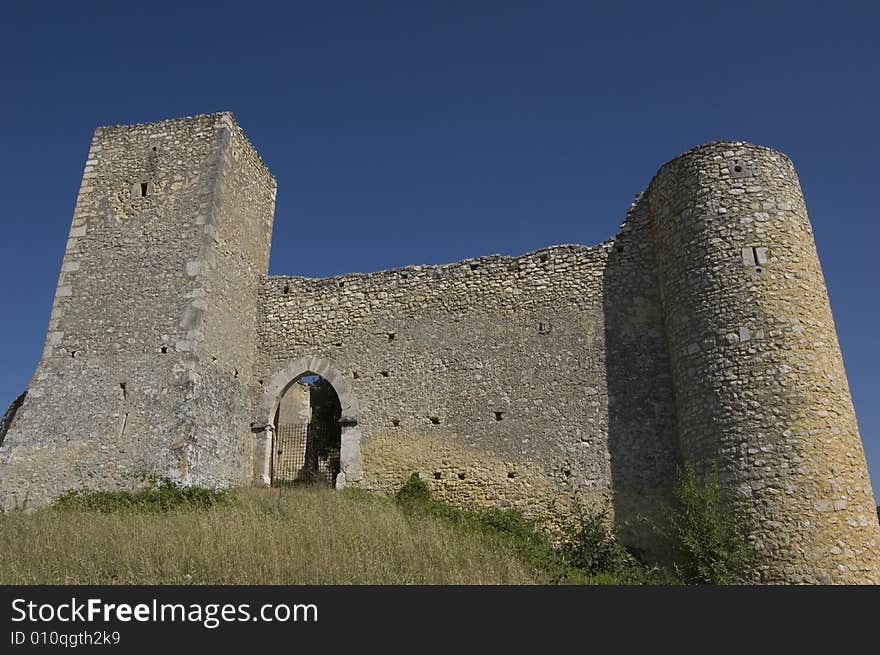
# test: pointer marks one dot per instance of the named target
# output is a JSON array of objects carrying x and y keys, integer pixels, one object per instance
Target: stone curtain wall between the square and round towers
[{"x": 491, "y": 376}]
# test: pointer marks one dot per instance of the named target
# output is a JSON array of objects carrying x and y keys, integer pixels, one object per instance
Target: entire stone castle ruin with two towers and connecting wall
[{"x": 701, "y": 334}]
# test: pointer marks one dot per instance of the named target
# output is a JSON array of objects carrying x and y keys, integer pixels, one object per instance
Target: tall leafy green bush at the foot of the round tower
[{"x": 706, "y": 531}]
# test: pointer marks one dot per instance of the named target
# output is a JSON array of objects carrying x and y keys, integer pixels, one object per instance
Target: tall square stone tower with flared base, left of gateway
[{"x": 148, "y": 363}]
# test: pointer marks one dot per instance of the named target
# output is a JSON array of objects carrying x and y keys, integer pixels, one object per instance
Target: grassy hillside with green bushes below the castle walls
[{"x": 173, "y": 535}]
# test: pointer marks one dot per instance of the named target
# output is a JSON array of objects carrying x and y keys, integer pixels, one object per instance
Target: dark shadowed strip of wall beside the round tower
[{"x": 642, "y": 438}]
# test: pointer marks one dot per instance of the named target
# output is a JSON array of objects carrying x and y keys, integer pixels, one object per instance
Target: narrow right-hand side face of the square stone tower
[{"x": 221, "y": 318}]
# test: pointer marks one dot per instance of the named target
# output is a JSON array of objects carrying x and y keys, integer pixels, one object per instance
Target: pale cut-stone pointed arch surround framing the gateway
[{"x": 350, "y": 467}]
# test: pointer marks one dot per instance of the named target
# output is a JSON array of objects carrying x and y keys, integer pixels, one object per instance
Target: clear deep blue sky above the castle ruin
[{"x": 425, "y": 132}]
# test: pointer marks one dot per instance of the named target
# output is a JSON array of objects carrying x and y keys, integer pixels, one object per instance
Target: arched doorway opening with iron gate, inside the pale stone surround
[{"x": 307, "y": 436}]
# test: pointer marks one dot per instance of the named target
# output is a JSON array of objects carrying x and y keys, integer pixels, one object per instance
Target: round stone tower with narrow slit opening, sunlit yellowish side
[{"x": 761, "y": 392}]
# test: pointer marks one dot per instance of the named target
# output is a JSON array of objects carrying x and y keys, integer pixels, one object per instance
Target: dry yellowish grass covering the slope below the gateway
[{"x": 264, "y": 537}]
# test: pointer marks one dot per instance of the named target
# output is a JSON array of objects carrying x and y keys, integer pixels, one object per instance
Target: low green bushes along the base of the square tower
[{"x": 163, "y": 496}]
